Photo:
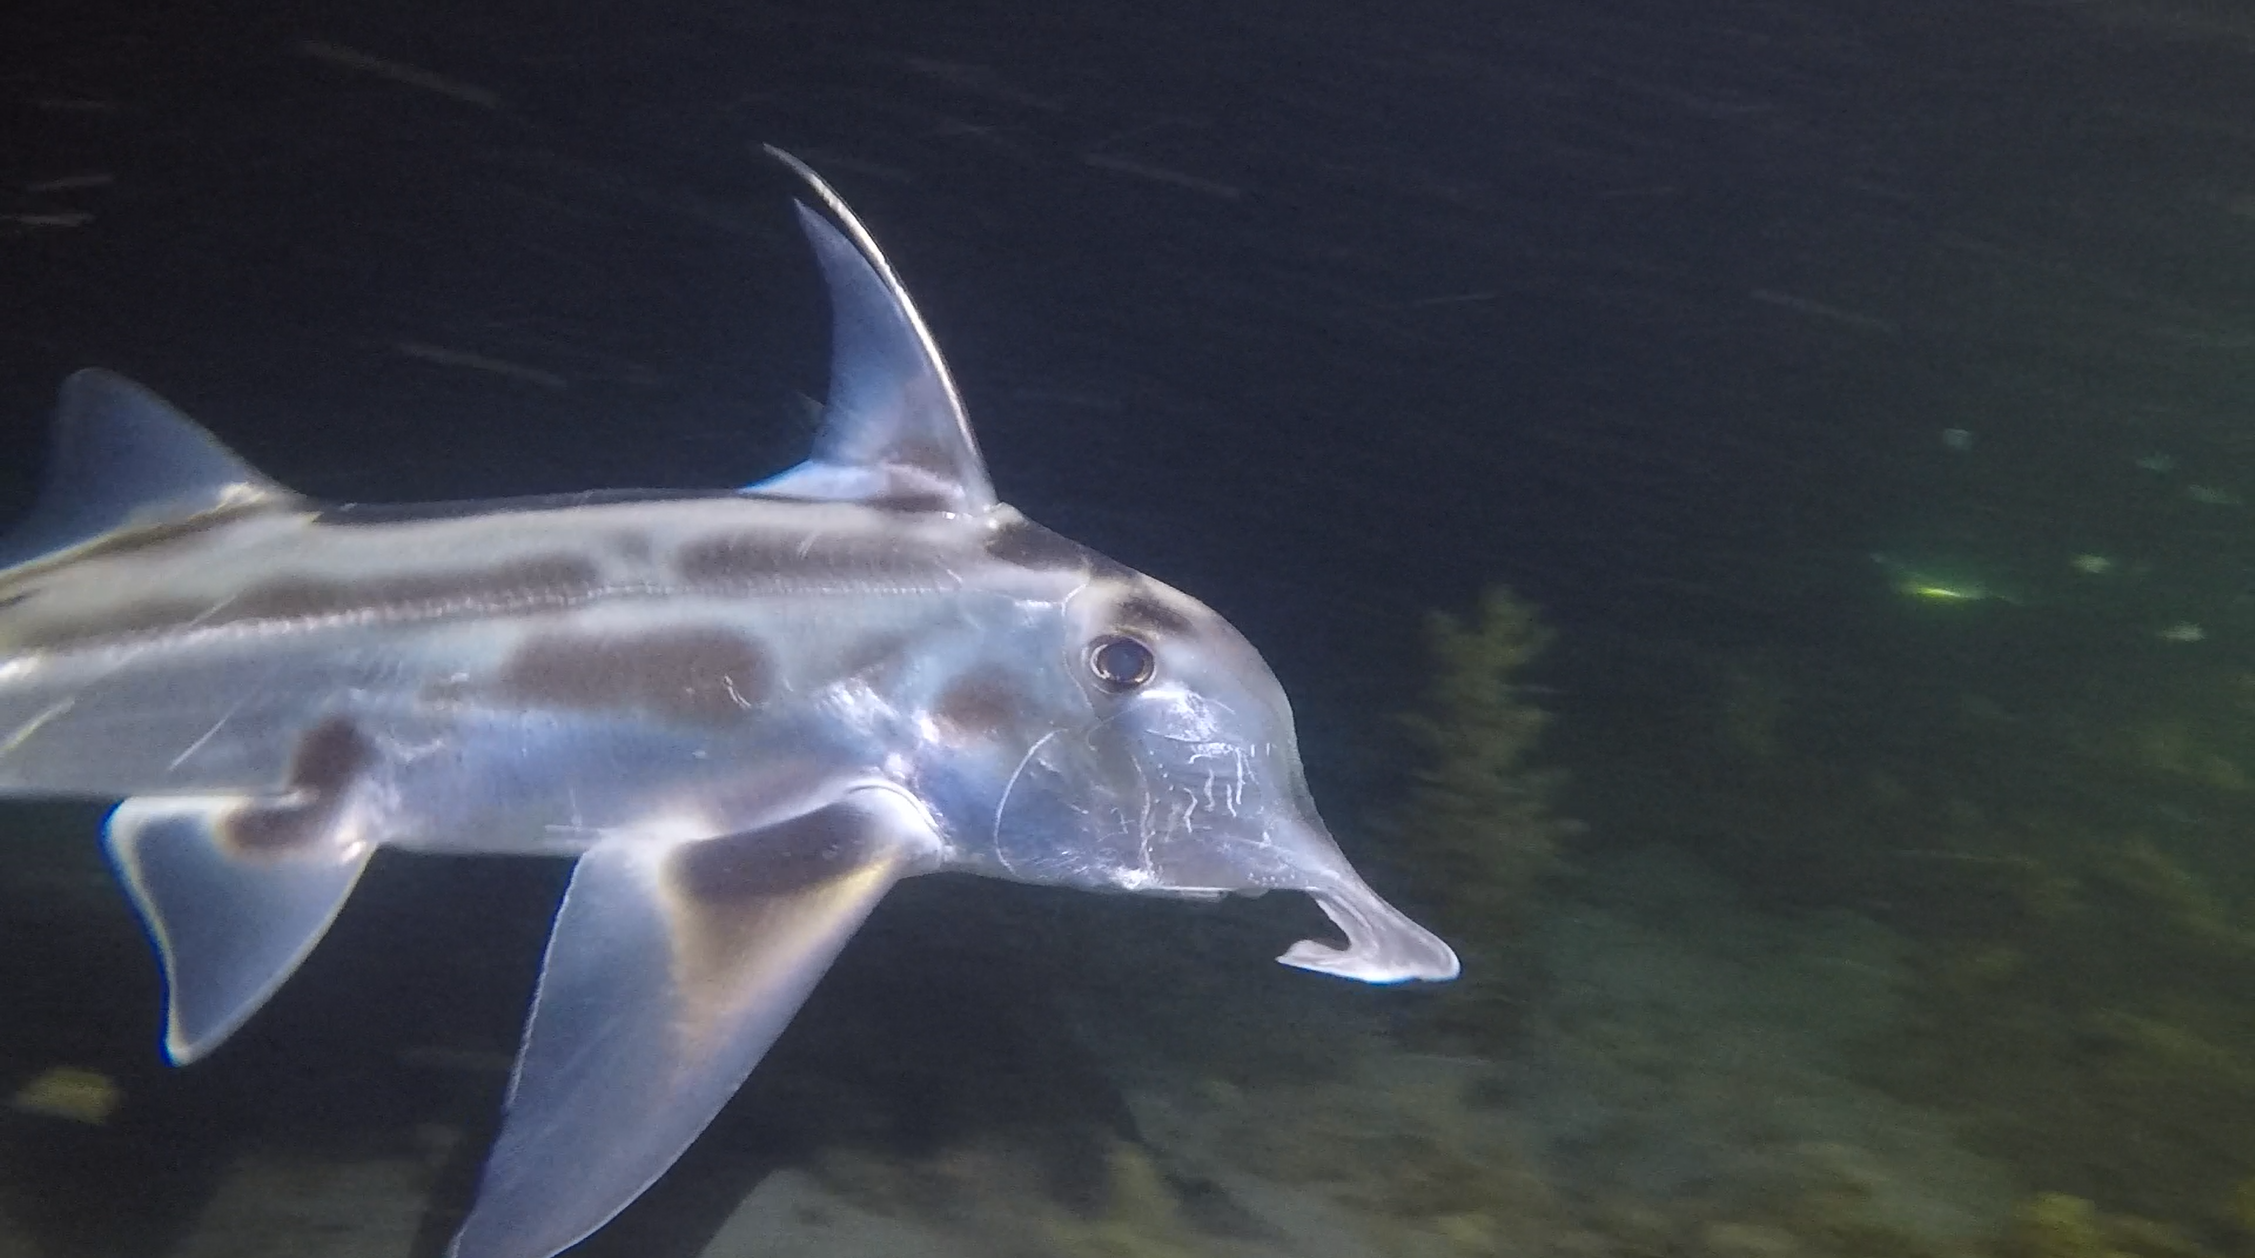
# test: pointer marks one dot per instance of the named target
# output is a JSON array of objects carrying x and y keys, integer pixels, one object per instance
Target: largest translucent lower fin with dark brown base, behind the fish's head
[{"x": 671, "y": 971}]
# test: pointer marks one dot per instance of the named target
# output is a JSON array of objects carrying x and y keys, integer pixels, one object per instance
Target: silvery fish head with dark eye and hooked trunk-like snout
[{"x": 1165, "y": 761}]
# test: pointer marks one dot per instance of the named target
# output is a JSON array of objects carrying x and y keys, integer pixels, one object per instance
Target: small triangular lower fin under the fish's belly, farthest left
[{"x": 236, "y": 894}]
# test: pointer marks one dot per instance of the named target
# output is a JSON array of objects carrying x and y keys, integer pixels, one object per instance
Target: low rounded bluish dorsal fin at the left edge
[{"x": 125, "y": 459}]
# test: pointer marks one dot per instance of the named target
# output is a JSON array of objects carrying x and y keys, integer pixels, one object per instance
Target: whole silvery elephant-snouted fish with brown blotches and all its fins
[{"x": 745, "y": 714}]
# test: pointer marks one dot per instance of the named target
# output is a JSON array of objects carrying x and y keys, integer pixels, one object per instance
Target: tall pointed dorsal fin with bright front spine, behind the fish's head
[{"x": 894, "y": 432}]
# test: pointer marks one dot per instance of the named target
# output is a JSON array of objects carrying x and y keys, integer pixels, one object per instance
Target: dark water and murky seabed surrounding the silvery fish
[{"x": 1751, "y": 504}]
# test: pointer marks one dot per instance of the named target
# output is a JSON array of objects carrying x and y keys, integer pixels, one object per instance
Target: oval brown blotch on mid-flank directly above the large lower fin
[{"x": 684, "y": 673}]
